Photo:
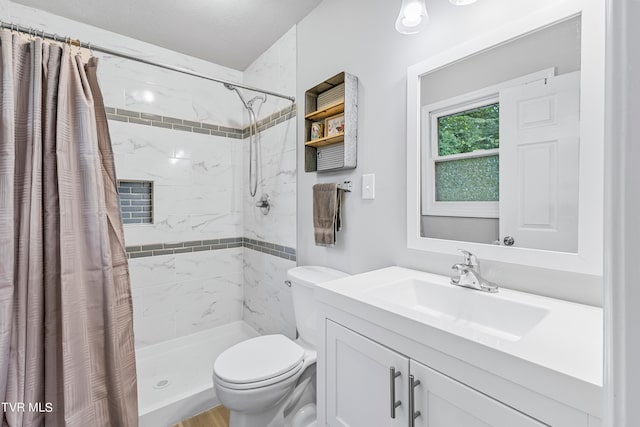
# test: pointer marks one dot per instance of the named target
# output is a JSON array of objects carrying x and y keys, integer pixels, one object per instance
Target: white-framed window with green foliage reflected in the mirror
[{"x": 463, "y": 159}]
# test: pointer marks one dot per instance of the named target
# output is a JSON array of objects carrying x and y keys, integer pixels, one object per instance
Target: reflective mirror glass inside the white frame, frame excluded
[{"x": 499, "y": 143}]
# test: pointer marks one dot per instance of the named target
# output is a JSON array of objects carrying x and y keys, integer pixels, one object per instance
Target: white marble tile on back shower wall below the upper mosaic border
[{"x": 197, "y": 187}]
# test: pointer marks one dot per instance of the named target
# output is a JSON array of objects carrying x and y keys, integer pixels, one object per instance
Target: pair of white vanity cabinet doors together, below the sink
[{"x": 361, "y": 386}]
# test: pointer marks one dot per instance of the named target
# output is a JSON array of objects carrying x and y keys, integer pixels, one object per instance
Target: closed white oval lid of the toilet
[{"x": 258, "y": 359}]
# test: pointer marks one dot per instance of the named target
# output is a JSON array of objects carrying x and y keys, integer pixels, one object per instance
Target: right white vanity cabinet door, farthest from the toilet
[{"x": 444, "y": 402}]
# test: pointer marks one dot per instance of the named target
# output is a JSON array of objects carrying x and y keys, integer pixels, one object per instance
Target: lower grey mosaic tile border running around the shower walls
[{"x": 156, "y": 249}]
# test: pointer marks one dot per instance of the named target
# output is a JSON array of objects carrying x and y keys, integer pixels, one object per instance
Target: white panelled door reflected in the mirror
[{"x": 539, "y": 164}]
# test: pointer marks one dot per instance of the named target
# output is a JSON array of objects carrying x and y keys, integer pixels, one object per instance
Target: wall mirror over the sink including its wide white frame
[{"x": 505, "y": 145}]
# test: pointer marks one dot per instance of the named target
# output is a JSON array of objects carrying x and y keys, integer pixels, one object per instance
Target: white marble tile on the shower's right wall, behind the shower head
[{"x": 267, "y": 301}]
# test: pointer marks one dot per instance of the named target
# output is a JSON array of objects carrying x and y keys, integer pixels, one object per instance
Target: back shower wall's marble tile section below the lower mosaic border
[{"x": 176, "y": 295}]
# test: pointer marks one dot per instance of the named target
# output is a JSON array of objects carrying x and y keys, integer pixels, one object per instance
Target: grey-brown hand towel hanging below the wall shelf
[{"x": 326, "y": 213}]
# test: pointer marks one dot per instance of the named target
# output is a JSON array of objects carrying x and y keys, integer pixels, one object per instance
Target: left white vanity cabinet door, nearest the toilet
[{"x": 359, "y": 385}]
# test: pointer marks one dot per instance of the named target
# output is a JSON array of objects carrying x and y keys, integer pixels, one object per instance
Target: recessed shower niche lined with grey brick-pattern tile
[{"x": 136, "y": 201}]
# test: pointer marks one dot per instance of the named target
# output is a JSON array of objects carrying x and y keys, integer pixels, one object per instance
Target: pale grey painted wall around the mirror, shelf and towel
[{"x": 362, "y": 40}]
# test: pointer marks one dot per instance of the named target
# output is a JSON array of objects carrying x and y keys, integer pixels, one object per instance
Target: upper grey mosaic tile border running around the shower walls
[{"x": 175, "y": 123}]
